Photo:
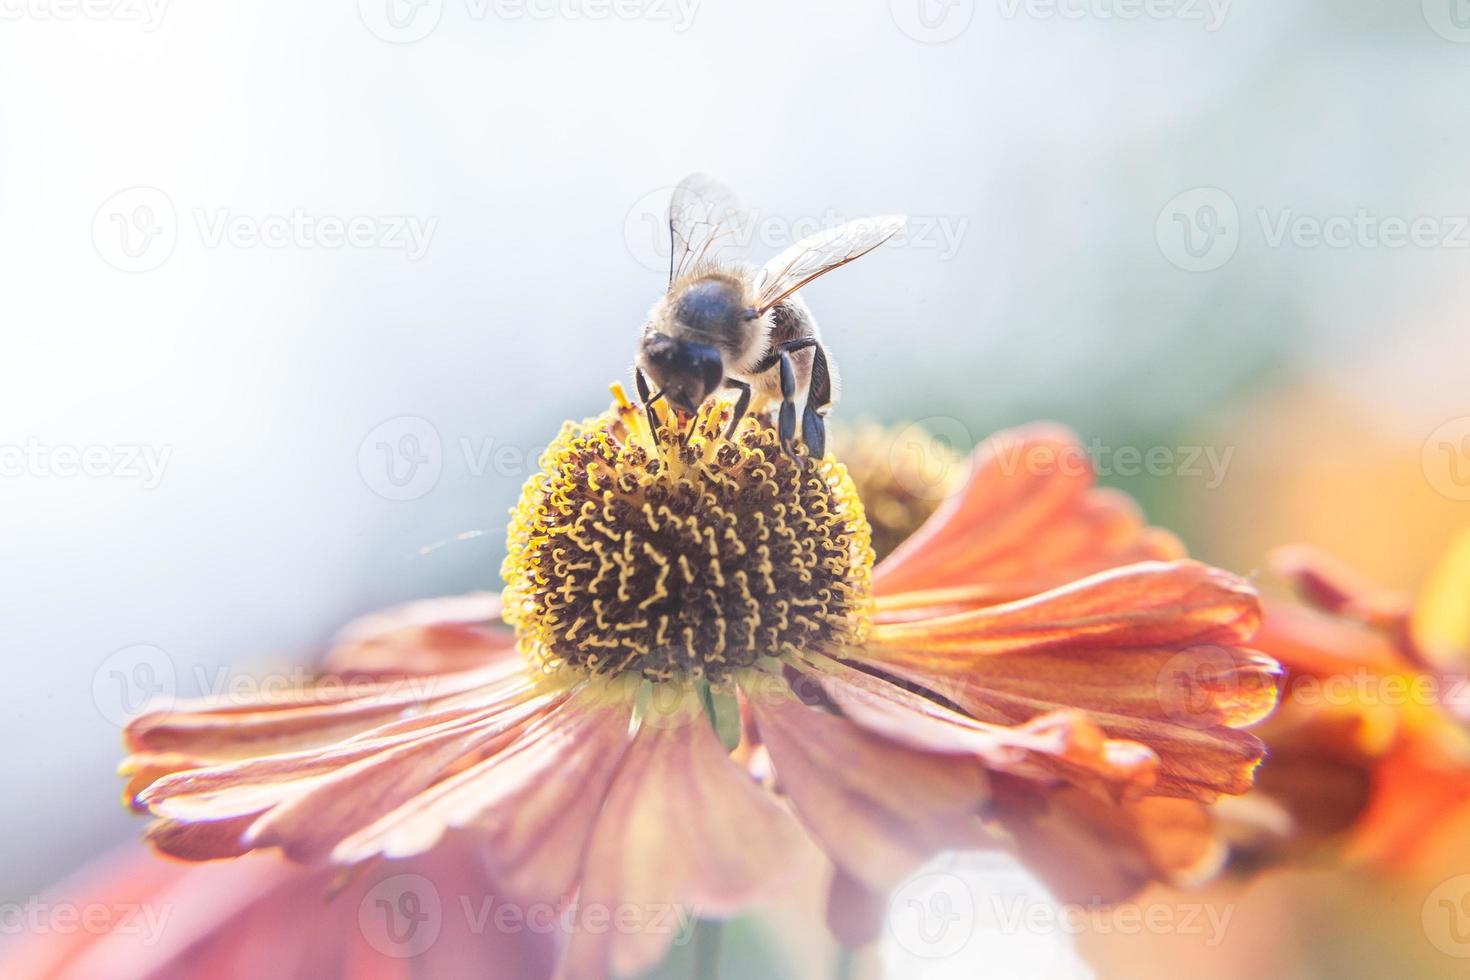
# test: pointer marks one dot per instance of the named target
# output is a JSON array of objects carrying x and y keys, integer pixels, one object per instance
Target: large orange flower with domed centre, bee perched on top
[{"x": 706, "y": 672}]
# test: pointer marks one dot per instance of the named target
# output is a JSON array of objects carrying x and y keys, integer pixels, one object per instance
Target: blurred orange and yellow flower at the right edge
[{"x": 1371, "y": 741}]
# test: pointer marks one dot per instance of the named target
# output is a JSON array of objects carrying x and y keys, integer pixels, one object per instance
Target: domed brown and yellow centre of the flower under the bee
[{"x": 674, "y": 556}]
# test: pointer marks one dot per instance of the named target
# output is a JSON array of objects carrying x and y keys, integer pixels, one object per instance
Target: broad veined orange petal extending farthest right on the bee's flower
[{"x": 1149, "y": 653}]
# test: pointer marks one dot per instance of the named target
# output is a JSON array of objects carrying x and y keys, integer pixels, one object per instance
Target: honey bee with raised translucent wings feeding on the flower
[{"x": 733, "y": 327}]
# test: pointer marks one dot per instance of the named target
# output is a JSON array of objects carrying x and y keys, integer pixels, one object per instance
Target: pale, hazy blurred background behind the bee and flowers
[{"x": 295, "y": 295}]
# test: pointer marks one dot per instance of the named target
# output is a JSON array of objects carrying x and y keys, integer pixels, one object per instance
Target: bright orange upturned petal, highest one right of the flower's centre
[{"x": 1027, "y": 519}]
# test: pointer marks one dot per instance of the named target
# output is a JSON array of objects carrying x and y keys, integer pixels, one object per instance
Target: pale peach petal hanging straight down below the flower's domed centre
[{"x": 683, "y": 826}]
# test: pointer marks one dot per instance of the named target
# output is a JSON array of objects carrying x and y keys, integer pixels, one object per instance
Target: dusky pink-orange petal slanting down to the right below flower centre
[{"x": 878, "y": 809}]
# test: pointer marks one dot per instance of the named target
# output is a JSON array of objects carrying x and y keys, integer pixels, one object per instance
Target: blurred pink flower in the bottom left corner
[{"x": 135, "y": 918}]
